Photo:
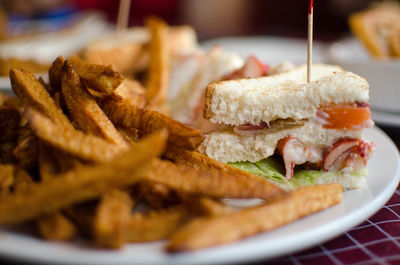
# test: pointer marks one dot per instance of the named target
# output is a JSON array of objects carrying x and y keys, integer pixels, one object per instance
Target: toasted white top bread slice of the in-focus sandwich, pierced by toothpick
[{"x": 286, "y": 95}]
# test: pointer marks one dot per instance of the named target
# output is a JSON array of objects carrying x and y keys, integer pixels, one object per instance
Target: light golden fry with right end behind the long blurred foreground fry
[{"x": 71, "y": 141}]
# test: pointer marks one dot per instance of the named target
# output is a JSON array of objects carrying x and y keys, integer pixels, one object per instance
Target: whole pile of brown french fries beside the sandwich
[{"x": 79, "y": 154}]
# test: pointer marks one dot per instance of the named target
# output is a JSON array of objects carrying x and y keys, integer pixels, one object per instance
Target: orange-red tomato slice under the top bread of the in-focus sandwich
[{"x": 345, "y": 117}]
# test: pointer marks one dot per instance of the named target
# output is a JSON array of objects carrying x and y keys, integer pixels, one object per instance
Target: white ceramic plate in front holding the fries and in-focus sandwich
[{"x": 357, "y": 205}]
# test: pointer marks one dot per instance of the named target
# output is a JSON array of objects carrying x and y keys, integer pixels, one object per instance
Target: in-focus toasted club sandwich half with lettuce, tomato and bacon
[{"x": 292, "y": 132}]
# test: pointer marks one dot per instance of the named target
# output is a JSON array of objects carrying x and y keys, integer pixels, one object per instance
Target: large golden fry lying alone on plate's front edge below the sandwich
[{"x": 217, "y": 230}]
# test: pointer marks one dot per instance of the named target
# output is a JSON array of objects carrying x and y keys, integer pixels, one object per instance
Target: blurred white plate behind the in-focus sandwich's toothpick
[{"x": 270, "y": 50}]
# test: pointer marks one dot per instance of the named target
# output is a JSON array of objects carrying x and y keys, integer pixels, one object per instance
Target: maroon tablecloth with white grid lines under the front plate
[{"x": 375, "y": 241}]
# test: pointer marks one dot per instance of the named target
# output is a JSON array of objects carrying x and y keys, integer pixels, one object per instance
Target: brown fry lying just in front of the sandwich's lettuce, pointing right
[{"x": 210, "y": 182}]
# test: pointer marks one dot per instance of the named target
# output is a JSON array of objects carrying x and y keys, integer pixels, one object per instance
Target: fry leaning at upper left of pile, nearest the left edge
[{"x": 32, "y": 93}]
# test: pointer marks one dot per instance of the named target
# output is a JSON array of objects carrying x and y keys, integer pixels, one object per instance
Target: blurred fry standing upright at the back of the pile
[{"x": 159, "y": 69}]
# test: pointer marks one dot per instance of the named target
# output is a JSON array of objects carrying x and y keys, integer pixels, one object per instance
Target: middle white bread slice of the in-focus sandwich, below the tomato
[{"x": 227, "y": 146}]
